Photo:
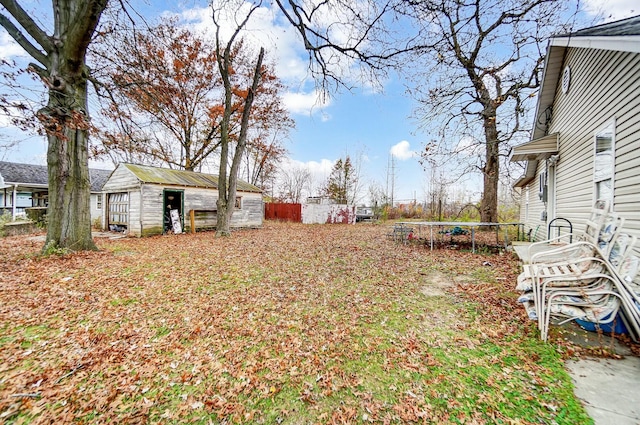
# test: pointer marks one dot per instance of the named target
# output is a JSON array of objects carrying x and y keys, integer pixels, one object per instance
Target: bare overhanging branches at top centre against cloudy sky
[{"x": 348, "y": 41}]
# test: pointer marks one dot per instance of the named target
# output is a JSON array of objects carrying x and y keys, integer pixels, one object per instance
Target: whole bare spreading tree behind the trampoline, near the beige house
[{"x": 481, "y": 62}]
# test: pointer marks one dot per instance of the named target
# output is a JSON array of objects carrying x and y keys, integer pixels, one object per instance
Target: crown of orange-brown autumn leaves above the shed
[{"x": 165, "y": 101}]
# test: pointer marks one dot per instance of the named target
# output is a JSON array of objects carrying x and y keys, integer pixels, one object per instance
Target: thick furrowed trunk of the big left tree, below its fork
[{"x": 66, "y": 120}]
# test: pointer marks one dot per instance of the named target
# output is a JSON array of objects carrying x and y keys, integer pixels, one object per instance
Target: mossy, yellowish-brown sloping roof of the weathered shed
[{"x": 156, "y": 175}]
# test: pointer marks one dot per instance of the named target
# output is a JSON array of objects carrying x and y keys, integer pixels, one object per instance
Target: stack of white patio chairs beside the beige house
[{"x": 590, "y": 279}]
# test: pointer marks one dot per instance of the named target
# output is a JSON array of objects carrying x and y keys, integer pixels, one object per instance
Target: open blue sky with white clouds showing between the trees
[{"x": 362, "y": 123}]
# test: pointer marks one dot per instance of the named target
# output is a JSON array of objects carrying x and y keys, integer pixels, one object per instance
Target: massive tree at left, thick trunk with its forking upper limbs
[{"x": 60, "y": 62}]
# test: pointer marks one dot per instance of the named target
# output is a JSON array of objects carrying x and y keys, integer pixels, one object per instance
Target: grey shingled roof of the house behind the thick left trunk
[{"x": 36, "y": 176}]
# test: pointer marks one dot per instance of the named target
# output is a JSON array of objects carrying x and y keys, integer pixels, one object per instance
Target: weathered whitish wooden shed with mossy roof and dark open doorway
[{"x": 140, "y": 199}]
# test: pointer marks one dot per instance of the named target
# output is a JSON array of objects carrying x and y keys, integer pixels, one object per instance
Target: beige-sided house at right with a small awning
[{"x": 586, "y": 140}]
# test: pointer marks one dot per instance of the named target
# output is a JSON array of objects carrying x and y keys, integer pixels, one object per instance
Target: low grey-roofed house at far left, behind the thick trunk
[{"x": 29, "y": 185}]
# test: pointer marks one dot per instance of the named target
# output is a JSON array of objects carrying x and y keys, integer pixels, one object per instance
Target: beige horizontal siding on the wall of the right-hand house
[{"x": 605, "y": 87}]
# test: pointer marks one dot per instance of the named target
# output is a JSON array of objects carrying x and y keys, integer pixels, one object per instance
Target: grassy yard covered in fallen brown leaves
[{"x": 290, "y": 324}]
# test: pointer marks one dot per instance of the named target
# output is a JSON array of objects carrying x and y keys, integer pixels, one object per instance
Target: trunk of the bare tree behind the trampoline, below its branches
[{"x": 491, "y": 172}]
